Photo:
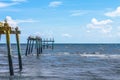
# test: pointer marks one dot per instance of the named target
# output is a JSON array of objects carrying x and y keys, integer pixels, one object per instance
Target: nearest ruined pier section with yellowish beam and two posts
[{"x": 7, "y": 30}]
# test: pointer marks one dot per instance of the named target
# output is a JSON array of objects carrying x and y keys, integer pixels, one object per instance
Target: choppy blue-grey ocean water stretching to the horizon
[{"x": 65, "y": 62}]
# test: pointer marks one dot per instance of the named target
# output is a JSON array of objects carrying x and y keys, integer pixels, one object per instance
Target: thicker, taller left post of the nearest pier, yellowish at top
[{"x": 9, "y": 48}]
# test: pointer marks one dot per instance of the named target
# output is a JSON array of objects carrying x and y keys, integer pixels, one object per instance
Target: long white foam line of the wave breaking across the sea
[{"x": 85, "y": 54}]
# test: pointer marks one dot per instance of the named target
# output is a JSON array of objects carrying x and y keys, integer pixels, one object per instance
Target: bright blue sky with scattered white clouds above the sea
[{"x": 67, "y": 21}]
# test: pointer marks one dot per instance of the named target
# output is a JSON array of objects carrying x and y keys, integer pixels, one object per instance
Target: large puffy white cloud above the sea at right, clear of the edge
[{"x": 104, "y": 25}]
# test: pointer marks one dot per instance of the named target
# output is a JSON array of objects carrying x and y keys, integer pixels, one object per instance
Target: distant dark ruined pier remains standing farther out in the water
[{"x": 39, "y": 44}]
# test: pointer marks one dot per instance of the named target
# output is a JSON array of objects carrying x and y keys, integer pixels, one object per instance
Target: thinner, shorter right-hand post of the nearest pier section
[{"x": 18, "y": 47}]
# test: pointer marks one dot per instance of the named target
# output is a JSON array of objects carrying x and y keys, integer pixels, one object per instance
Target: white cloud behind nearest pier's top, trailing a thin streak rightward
[{"x": 14, "y": 23}]
